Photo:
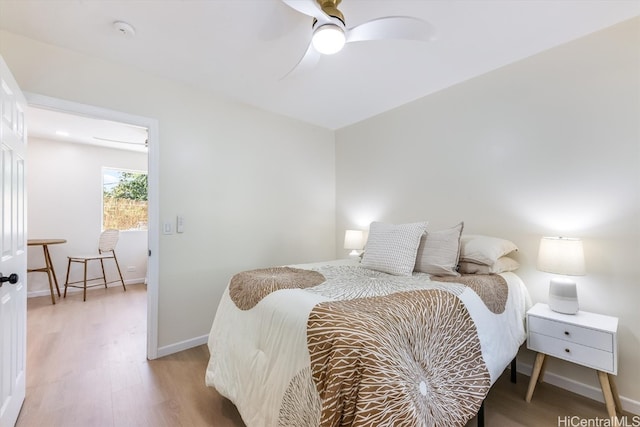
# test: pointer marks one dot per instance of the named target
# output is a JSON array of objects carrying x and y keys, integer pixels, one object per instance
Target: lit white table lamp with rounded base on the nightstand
[{"x": 565, "y": 256}]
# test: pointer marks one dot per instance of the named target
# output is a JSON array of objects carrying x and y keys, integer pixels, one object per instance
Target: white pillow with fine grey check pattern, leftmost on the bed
[{"x": 391, "y": 248}]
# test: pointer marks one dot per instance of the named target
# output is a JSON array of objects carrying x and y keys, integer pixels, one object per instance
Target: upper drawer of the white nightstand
[{"x": 572, "y": 333}]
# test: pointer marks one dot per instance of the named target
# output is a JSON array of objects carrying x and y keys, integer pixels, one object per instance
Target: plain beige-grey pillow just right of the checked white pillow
[{"x": 439, "y": 251}]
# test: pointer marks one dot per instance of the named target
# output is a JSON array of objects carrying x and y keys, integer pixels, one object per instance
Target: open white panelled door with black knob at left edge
[{"x": 13, "y": 248}]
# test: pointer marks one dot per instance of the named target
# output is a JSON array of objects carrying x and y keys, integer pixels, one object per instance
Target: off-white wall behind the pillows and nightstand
[{"x": 547, "y": 146}]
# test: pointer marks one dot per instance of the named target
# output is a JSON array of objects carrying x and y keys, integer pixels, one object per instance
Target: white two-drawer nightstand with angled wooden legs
[{"x": 587, "y": 339}]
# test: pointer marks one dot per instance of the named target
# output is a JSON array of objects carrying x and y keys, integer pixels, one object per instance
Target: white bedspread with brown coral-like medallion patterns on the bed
[{"x": 339, "y": 345}]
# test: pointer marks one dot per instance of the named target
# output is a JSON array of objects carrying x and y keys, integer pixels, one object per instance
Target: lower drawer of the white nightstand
[{"x": 567, "y": 350}]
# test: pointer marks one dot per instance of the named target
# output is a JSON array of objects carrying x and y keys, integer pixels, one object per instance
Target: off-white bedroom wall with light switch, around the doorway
[{"x": 255, "y": 189}]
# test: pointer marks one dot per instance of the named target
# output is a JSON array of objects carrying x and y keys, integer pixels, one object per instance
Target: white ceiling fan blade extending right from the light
[{"x": 391, "y": 28}]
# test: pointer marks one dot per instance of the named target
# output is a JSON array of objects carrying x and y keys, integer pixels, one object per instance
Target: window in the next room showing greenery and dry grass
[{"x": 124, "y": 199}]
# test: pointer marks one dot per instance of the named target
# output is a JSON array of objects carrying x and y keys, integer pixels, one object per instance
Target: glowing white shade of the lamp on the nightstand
[{"x": 561, "y": 255}]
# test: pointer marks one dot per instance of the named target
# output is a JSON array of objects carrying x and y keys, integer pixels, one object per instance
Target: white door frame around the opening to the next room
[{"x": 153, "y": 176}]
